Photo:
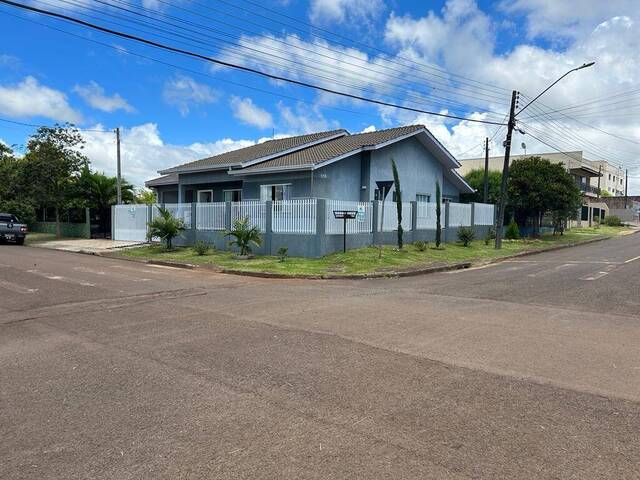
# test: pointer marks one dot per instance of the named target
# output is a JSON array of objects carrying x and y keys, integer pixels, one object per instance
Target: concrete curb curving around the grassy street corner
[{"x": 359, "y": 276}]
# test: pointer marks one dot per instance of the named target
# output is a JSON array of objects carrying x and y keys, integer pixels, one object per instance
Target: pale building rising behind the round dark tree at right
[{"x": 612, "y": 178}]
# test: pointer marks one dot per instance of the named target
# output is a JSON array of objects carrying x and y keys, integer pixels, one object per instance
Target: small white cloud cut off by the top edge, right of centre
[{"x": 352, "y": 12}]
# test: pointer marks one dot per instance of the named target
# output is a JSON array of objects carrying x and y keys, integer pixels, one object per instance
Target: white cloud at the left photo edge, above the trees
[{"x": 31, "y": 99}]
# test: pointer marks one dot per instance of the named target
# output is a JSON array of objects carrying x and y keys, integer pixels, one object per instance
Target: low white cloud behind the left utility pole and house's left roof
[{"x": 144, "y": 152}]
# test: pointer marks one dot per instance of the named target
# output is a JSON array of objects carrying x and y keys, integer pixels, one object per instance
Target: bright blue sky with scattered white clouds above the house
[{"x": 169, "y": 115}]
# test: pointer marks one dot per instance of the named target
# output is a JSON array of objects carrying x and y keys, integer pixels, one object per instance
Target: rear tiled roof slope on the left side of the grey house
[{"x": 256, "y": 153}]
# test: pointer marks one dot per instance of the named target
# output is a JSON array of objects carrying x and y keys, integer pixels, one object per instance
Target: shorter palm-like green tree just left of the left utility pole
[{"x": 99, "y": 191}]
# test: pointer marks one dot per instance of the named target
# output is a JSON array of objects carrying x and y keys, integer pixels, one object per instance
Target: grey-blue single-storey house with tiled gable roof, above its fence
[{"x": 334, "y": 164}]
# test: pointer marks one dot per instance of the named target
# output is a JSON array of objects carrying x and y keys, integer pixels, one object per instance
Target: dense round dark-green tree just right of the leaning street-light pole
[{"x": 538, "y": 187}]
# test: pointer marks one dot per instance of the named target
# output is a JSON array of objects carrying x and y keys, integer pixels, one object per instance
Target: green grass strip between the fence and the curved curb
[{"x": 365, "y": 260}]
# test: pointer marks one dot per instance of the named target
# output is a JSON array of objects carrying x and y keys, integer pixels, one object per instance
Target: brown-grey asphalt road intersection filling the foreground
[{"x": 525, "y": 369}]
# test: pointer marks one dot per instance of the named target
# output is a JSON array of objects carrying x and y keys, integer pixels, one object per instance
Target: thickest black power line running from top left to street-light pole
[{"x": 232, "y": 65}]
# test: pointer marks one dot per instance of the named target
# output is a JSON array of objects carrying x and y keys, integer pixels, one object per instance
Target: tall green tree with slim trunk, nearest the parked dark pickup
[{"x": 53, "y": 162}]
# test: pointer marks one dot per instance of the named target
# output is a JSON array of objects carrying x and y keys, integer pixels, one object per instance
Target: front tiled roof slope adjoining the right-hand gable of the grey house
[{"x": 331, "y": 150}]
